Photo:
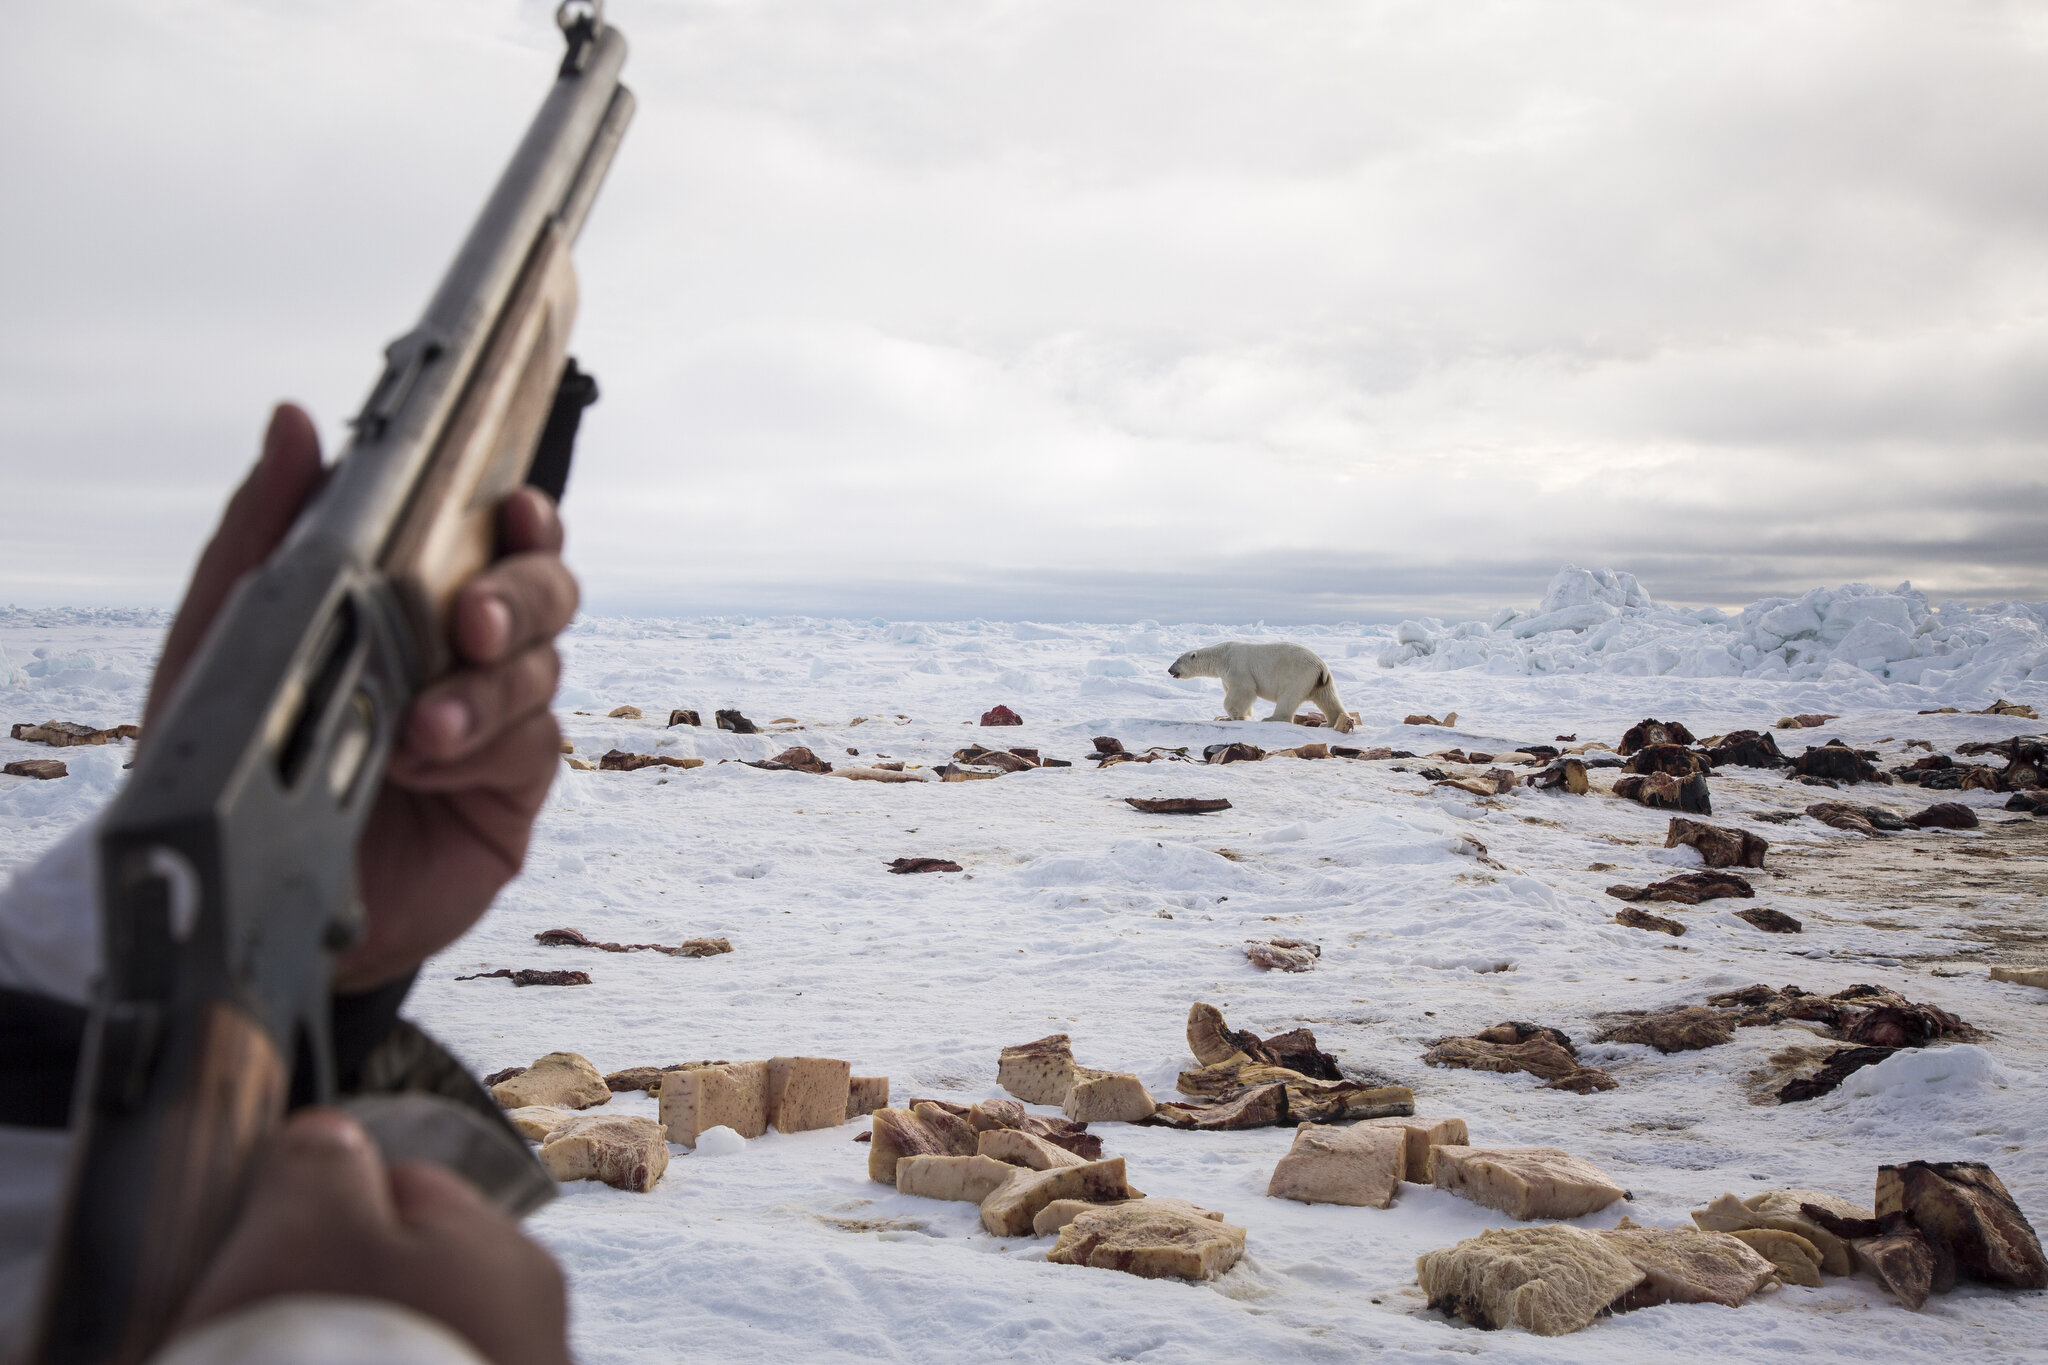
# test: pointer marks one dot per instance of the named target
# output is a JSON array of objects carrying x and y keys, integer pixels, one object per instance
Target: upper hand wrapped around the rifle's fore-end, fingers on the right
[{"x": 478, "y": 750}]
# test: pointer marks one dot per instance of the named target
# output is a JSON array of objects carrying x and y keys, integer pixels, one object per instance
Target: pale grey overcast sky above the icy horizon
[{"x": 1199, "y": 310}]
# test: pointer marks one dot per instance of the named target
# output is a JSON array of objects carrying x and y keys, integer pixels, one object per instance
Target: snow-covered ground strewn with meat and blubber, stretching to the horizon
[{"x": 1076, "y": 914}]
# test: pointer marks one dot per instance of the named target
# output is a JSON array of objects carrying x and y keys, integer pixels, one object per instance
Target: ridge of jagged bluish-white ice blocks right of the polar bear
[{"x": 1601, "y": 621}]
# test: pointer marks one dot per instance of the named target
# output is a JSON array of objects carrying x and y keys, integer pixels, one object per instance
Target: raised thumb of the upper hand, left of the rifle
[{"x": 257, "y": 519}]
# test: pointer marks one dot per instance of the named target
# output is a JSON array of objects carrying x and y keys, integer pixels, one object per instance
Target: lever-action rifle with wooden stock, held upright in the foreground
[{"x": 226, "y": 863}]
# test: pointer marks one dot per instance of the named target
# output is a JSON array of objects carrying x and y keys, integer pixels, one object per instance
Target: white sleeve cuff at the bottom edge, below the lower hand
[{"x": 321, "y": 1329}]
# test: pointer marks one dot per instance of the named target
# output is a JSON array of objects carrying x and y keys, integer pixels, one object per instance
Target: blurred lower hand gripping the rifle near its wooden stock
[{"x": 327, "y": 1217}]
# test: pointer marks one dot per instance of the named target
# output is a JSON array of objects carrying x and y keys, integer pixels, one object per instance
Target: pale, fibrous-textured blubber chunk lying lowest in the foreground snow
[{"x": 1551, "y": 1280}]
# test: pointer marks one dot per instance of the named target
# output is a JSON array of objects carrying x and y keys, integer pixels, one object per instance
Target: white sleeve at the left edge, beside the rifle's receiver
[{"x": 50, "y": 924}]
